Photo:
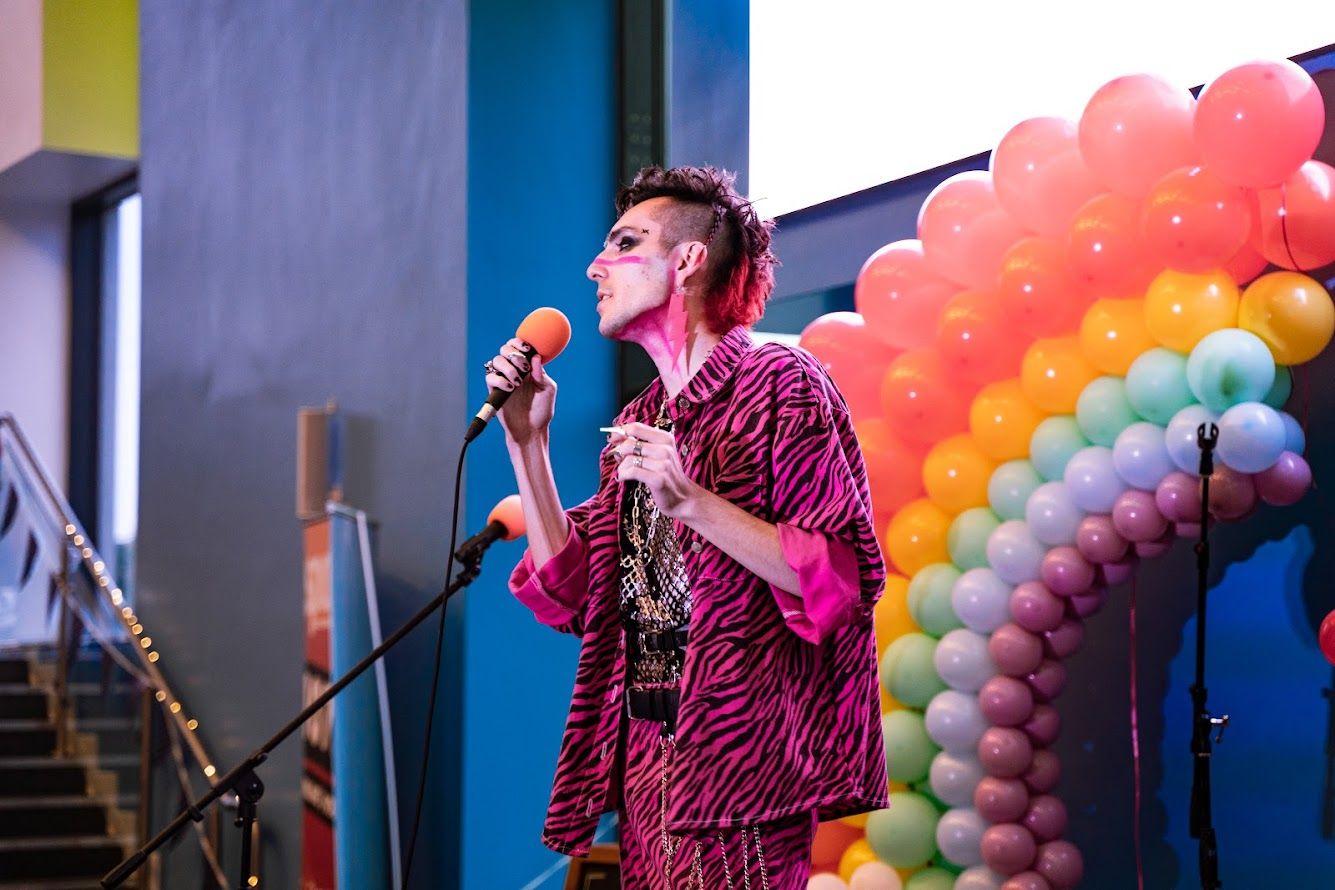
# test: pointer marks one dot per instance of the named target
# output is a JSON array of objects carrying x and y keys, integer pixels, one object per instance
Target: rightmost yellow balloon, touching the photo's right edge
[{"x": 1292, "y": 313}]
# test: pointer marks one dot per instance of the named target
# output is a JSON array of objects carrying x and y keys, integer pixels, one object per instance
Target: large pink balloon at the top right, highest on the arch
[{"x": 1257, "y": 123}]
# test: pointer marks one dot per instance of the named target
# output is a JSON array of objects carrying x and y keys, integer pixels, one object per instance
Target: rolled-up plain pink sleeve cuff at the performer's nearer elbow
[{"x": 828, "y": 584}]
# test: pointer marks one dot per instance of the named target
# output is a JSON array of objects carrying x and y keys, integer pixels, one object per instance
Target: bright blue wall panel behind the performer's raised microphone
[{"x": 541, "y": 179}]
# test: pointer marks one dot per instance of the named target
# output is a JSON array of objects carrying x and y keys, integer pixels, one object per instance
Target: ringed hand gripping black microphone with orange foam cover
[{"x": 517, "y": 369}]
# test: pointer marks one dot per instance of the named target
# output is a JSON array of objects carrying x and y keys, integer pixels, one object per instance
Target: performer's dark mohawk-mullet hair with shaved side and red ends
[{"x": 740, "y": 270}]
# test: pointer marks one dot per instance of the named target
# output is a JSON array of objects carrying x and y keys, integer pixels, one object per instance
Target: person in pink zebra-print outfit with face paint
[{"x": 722, "y": 578}]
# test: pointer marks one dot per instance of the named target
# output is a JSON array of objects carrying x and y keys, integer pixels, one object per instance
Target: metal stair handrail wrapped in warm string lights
[{"x": 78, "y": 541}]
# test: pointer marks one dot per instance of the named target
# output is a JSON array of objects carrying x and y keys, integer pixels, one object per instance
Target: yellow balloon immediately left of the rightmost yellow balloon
[{"x": 1182, "y": 308}]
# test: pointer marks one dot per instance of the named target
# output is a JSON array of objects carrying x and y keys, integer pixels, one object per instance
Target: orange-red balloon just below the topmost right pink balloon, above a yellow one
[{"x": 1194, "y": 222}]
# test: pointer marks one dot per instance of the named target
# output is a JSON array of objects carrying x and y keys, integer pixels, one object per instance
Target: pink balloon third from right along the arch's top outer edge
[{"x": 1041, "y": 177}]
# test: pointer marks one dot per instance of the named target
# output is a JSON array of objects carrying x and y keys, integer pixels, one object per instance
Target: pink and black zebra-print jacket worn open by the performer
[{"x": 780, "y": 711}]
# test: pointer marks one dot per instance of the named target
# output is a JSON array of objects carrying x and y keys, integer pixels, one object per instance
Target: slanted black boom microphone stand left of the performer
[{"x": 244, "y": 781}]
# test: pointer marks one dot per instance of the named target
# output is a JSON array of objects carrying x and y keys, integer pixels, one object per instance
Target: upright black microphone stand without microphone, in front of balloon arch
[{"x": 1202, "y": 823}]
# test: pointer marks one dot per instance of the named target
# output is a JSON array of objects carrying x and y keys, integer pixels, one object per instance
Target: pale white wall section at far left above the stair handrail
[{"x": 35, "y": 328}]
